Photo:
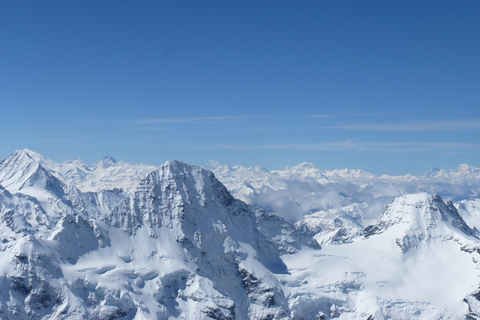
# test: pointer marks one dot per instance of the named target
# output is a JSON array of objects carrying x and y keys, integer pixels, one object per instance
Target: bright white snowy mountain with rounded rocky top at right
[{"x": 418, "y": 261}]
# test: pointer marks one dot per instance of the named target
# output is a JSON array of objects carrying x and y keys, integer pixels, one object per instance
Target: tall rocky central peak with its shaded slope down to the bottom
[{"x": 213, "y": 237}]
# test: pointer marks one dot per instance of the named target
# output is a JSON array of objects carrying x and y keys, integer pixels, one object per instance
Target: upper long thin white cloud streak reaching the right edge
[{"x": 442, "y": 125}]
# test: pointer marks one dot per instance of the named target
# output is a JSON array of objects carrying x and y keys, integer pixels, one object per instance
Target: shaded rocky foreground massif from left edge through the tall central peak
[{"x": 178, "y": 246}]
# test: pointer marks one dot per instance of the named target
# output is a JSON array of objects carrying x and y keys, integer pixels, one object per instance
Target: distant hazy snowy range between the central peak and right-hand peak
[{"x": 336, "y": 205}]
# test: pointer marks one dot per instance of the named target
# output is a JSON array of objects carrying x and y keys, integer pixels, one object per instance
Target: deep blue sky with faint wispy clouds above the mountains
[{"x": 386, "y": 86}]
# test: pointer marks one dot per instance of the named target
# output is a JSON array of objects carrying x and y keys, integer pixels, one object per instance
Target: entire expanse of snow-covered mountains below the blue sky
[{"x": 176, "y": 244}]
